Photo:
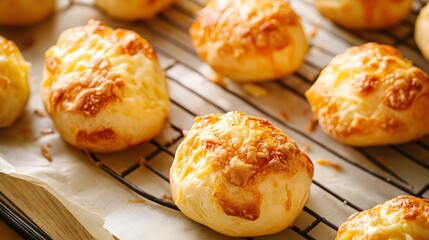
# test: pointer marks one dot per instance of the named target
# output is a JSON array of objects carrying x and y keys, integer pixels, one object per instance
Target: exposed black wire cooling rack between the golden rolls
[{"x": 399, "y": 169}]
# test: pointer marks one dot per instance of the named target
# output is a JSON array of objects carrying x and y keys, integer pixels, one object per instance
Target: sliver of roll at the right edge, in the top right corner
[{"x": 421, "y": 33}]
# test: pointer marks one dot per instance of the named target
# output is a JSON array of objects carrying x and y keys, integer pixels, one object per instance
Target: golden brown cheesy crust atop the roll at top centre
[{"x": 264, "y": 33}]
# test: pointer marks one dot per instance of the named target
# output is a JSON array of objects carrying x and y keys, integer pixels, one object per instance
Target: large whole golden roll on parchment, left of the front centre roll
[{"x": 104, "y": 88}]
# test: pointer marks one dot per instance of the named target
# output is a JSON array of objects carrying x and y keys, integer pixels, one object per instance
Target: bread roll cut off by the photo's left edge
[{"x": 14, "y": 89}]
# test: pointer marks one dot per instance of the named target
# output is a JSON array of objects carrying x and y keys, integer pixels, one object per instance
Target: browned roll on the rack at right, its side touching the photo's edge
[{"x": 371, "y": 95}]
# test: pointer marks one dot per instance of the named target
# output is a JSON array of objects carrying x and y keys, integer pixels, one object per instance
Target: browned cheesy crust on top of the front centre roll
[{"x": 272, "y": 152}]
